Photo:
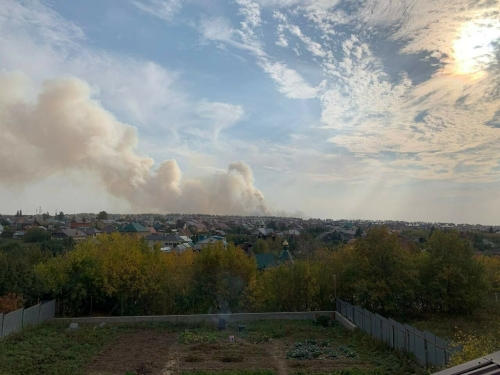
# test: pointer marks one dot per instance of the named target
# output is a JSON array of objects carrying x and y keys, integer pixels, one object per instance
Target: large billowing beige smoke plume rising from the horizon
[{"x": 61, "y": 128}]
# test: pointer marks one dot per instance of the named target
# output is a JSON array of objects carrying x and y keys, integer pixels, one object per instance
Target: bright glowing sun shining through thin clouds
[{"x": 473, "y": 49}]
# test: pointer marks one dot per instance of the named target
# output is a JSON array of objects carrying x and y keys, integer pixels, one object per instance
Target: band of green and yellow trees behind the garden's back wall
[{"x": 123, "y": 275}]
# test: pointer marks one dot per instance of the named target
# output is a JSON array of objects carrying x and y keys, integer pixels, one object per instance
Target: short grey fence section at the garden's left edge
[{"x": 17, "y": 320}]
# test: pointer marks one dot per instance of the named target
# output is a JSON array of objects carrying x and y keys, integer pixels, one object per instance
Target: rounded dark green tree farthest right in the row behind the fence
[{"x": 452, "y": 279}]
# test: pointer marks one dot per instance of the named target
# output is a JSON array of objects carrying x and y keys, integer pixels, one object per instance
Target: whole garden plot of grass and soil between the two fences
[{"x": 262, "y": 348}]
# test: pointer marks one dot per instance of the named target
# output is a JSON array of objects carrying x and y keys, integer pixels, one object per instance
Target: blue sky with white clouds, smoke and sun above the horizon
[{"x": 366, "y": 109}]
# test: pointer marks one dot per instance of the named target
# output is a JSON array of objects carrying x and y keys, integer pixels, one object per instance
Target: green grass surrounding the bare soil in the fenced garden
[{"x": 52, "y": 349}]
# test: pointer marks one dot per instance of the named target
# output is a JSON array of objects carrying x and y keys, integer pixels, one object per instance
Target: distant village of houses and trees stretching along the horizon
[{"x": 272, "y": 240}]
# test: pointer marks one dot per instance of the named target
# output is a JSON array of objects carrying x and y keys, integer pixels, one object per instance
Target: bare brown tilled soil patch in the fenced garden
[{"x": 153, "y": 353}]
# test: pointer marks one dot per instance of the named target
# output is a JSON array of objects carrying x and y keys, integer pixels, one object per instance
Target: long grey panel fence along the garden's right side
[{"x": 427, "y": 347}]
